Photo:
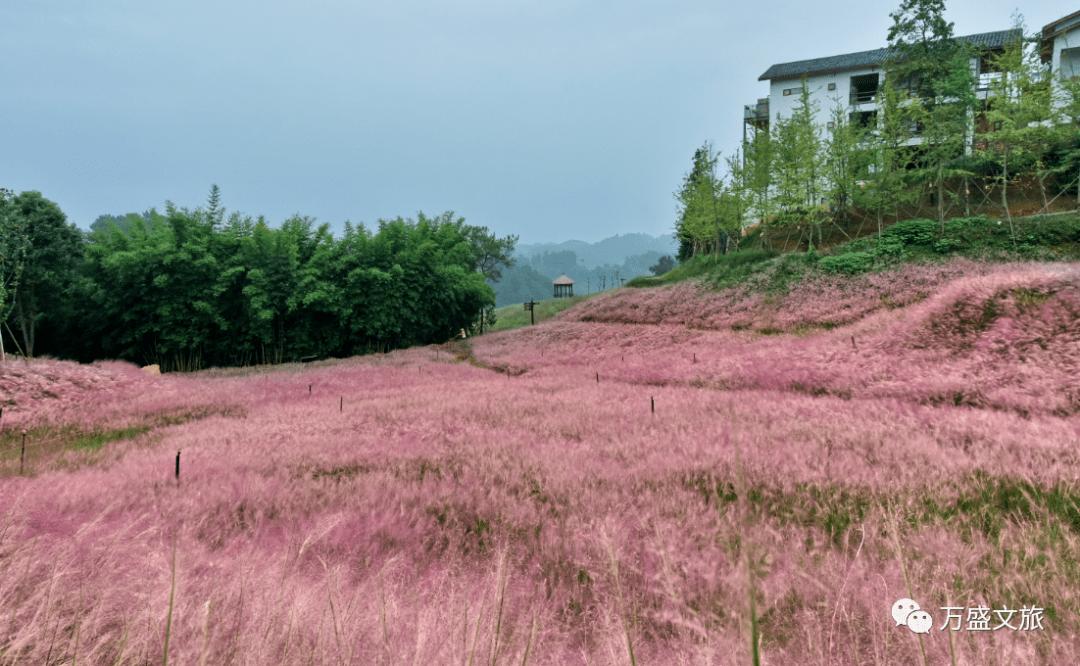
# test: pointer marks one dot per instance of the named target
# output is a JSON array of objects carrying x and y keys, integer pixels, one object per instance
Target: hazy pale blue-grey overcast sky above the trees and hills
[{"x": 548, "y": 119}]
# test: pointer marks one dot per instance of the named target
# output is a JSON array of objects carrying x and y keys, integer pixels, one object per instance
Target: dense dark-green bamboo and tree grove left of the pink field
[{"x": 191, "y": 289}]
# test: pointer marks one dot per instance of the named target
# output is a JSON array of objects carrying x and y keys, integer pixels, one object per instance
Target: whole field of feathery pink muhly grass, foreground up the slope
[{"x": 499, "y": 506}]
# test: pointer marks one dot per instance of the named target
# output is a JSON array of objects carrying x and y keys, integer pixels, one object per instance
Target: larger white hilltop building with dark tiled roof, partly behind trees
[{"x": 852, "y": 81}]
